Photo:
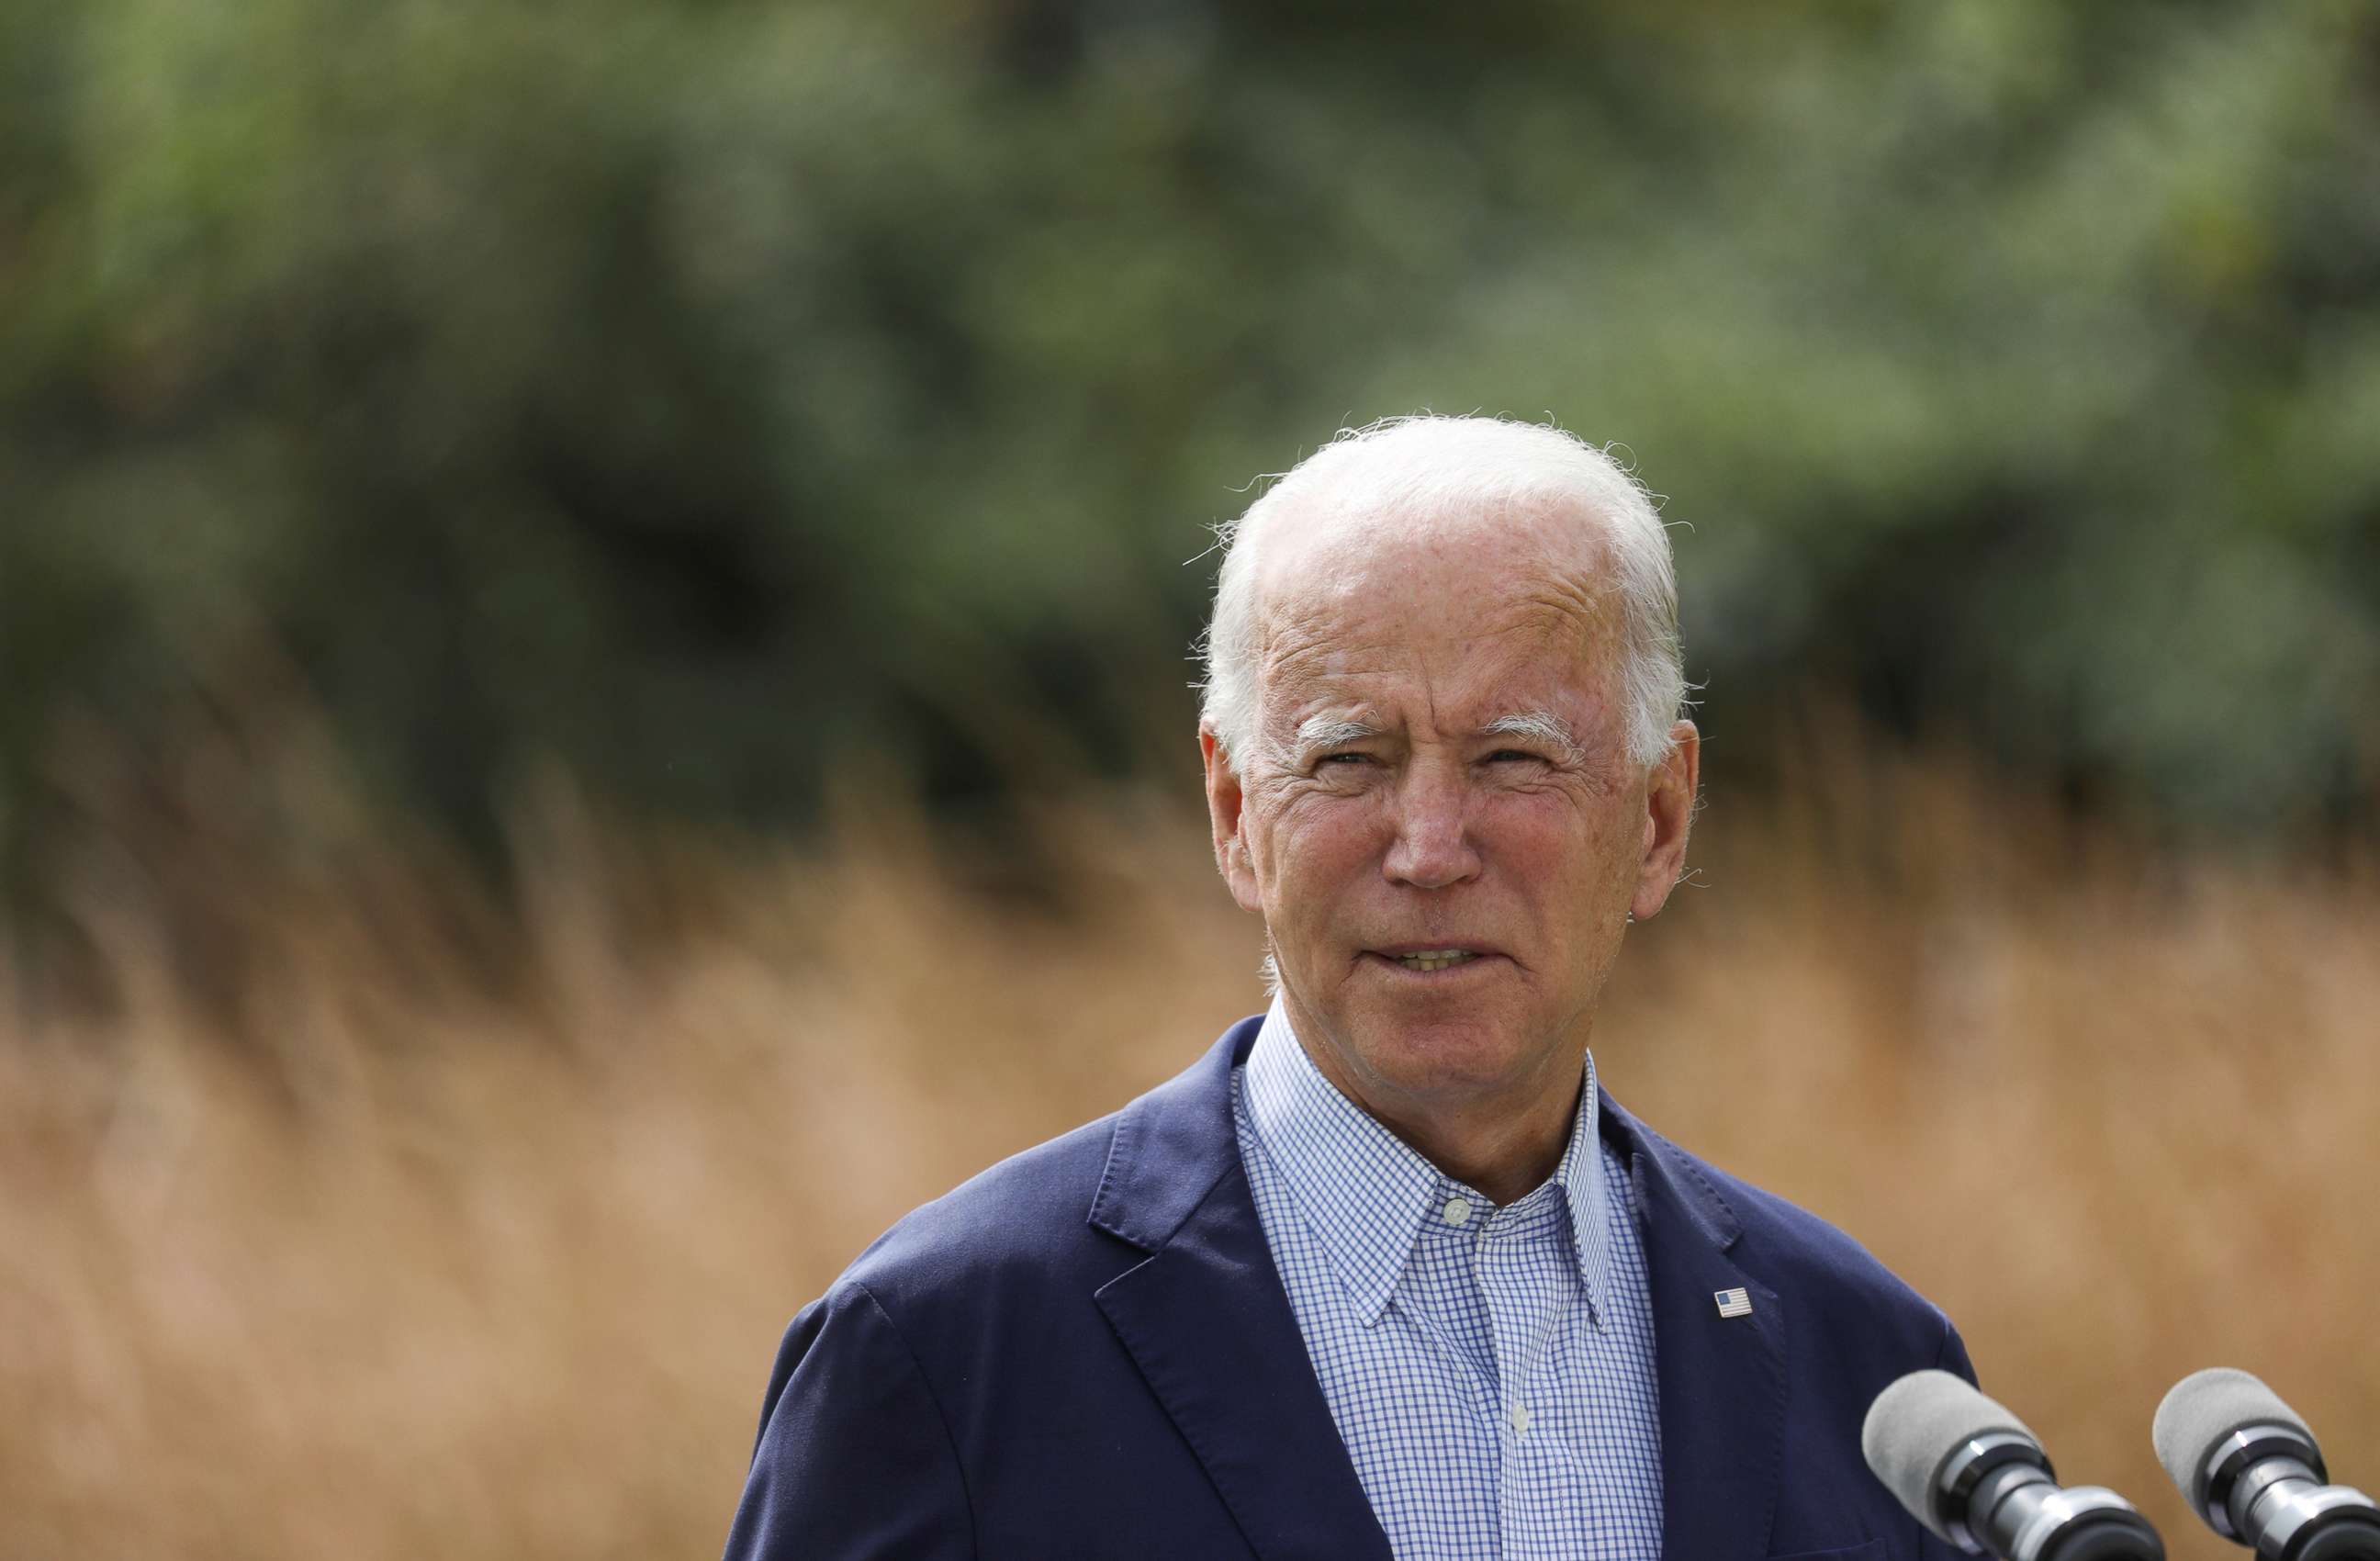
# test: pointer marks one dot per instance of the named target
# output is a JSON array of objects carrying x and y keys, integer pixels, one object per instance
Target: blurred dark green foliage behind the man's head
[{"x": 691, "y": 389}]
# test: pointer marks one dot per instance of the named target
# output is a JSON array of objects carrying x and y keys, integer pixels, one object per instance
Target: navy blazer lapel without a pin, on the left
[{"x": 1213, "y": 1331}]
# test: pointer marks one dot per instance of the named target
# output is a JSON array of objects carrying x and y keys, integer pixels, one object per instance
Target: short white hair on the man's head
[{"x": 1427, "y": 468}]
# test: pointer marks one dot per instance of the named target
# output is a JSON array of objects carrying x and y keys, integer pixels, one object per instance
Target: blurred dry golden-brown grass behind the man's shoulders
[{"x": 368, "y": 1255}]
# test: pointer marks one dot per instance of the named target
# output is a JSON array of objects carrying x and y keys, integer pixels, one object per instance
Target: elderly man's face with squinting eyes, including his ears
[{"x": 1443, "y": 767}]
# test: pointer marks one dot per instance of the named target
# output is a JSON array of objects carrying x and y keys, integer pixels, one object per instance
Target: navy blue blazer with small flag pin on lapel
[{"x": 1089, "y": 1353}]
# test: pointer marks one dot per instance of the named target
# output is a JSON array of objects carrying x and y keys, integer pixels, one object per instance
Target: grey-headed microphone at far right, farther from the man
[{"x": 2250, "y": 1467}]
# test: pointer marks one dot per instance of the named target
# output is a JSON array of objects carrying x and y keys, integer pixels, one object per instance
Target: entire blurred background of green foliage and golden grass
[{"x": 596, "y": 613}]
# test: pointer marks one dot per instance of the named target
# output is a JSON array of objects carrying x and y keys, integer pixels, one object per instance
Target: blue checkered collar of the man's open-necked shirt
[{"x": 1365, "y": 1191}]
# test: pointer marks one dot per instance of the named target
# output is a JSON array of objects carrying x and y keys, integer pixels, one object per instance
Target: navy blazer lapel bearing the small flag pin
[{"x": 1722, "y": 1377}]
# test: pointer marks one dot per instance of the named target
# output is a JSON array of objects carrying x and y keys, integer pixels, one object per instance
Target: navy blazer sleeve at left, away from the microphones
[{"x": 856, "y": 1460}]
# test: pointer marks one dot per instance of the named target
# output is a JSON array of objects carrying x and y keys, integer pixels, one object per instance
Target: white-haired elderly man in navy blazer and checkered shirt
[{"x": 1384, "y": 1274}]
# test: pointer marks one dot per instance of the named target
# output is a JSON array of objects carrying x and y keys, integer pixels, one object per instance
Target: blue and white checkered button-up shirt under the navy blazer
[{"x": 1489, "y": 1369}]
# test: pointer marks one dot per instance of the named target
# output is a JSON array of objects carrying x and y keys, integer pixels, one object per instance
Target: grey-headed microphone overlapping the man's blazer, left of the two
[{"x": 1972, "y": 1474}]
